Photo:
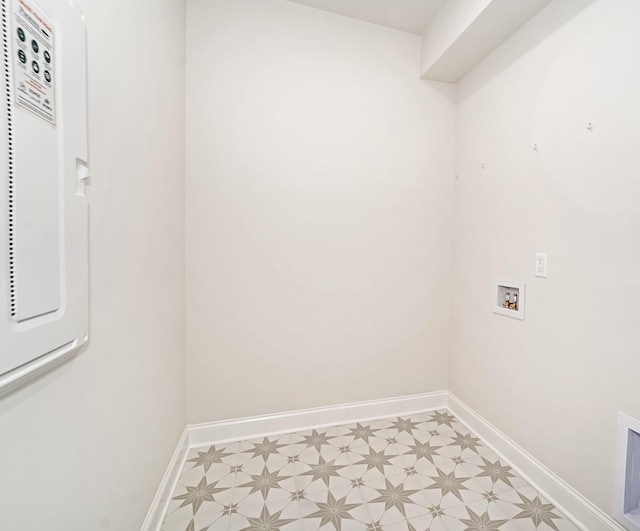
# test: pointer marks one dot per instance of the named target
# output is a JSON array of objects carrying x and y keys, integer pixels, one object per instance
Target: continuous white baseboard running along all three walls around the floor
[{"x": 575, "y": 506}]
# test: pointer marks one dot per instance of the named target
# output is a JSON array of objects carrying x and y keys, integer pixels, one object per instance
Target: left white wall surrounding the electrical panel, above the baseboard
[{"x": 84, "y": 448}]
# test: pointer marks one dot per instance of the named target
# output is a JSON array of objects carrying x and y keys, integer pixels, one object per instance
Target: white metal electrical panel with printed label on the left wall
[{"x": 43, "y": 208}]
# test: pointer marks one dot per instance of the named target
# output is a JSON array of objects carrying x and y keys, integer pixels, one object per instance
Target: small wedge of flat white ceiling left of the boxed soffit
[{"x": 406, "y": 15}]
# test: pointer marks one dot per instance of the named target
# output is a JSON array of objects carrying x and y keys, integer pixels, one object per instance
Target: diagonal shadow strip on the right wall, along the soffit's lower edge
[{"x": 544, "y": 24}]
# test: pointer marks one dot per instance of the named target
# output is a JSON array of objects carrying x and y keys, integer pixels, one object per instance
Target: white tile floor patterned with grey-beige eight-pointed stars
[{"x": 421, "y": 472}]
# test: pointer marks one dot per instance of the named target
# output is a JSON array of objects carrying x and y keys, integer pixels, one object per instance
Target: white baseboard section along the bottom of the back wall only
[{"x": 251, "y": 427}]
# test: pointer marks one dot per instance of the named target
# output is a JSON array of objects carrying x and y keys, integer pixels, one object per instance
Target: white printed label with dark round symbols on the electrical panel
[{"x": 33, "y": 70}]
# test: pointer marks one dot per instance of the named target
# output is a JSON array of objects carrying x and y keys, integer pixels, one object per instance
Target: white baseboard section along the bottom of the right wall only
[{"x": 575, "y": 506}]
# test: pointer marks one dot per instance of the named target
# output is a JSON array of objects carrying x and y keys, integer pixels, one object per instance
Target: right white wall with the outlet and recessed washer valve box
[{"x": 555, "y": 381}]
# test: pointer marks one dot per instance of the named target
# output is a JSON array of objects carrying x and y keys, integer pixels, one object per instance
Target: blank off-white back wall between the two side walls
[{"x": 319, "y": 197}]
